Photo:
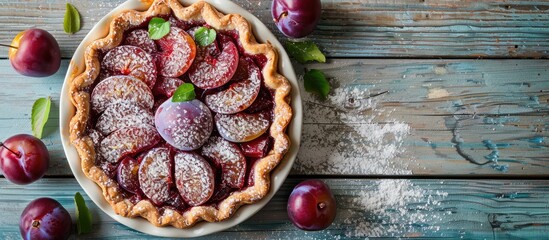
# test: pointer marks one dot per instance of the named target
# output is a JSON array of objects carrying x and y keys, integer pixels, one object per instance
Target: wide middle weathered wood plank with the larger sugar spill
[{"x": 488, "y": 110}]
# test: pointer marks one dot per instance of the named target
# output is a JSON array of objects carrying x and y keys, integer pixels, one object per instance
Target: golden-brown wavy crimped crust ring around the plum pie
[{"x": 80, "y": 88}]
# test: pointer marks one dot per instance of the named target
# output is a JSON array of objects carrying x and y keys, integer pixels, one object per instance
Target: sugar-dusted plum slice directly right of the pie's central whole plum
[{"x": 241, "y": 127}]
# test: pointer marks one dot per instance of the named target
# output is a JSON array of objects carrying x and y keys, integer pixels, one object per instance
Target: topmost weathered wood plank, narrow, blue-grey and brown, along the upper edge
[{"x": 353, "y": 28}]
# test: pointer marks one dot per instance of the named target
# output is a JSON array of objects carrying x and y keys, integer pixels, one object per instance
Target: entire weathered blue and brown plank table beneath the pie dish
[{"x": 456, "y": 147}]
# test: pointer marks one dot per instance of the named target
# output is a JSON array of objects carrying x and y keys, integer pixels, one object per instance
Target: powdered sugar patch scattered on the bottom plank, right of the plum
[{"x": 394, "y": 208}]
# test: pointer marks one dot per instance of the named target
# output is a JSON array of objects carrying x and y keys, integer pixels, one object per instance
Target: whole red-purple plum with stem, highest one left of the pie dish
[{"x": 37, "y": 54}]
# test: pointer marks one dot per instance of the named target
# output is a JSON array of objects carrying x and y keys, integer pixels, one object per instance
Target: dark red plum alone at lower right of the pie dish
[{"x": 311, "y": 205}]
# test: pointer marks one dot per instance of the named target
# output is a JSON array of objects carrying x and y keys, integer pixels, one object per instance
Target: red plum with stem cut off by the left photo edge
[{"x": 32, "y": 162}]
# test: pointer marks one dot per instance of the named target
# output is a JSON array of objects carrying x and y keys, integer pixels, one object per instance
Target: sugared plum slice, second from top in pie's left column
[{"x": 117, "y": 89}]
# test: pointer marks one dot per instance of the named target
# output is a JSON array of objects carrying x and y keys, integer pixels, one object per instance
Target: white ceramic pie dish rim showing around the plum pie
[{"x": 278, "y": 176}]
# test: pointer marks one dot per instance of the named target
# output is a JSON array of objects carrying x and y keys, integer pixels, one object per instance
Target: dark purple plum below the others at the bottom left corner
[{"x": 45, "y": 218}]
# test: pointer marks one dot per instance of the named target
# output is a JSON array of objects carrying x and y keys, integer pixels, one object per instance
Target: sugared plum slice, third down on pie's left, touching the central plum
[{"x": 121, "y": 115}]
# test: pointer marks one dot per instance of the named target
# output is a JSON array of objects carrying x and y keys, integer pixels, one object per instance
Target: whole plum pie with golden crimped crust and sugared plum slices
[{"x": 180, "y": 162}]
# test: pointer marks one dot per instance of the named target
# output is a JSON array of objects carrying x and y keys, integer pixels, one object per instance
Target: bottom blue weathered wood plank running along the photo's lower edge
[{"x": 495, "y": 209}]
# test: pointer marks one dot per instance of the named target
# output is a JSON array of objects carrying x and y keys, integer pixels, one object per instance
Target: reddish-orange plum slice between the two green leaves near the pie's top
[{"x": 177, "y": 52}]
